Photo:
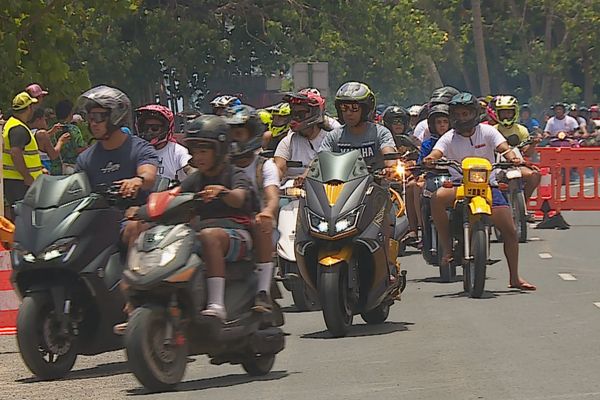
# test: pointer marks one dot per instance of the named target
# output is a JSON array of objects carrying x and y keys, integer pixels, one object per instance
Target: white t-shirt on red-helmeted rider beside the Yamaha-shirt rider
[{"x": 295, "y": 147}]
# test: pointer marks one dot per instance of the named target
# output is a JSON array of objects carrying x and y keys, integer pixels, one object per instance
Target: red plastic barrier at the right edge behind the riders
[{"x": 574, "y": 176}]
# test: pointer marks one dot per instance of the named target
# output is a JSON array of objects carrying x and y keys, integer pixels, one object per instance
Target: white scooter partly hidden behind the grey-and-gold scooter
[{"x": 304, "y": 298}]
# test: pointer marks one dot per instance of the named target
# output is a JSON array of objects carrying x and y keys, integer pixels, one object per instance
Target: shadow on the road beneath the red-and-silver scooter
[{"x": 217, "y": 382}]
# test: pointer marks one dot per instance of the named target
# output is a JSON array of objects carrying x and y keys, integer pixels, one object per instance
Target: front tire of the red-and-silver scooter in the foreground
[{"x": 158, "y": 370}]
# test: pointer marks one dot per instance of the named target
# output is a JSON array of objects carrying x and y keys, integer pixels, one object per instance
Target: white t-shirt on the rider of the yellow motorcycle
[{"x": 482, "y": 143}]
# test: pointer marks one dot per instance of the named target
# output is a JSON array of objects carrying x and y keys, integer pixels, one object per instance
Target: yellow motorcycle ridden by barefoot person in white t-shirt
[{"x": 470, "y": 220}]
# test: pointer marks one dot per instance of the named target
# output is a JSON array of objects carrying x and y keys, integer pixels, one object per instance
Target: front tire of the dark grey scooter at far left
[{"x": 34, "y": 322}]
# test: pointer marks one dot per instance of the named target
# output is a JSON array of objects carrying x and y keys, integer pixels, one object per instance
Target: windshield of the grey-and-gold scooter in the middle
[{"x": 343, "y": 167}]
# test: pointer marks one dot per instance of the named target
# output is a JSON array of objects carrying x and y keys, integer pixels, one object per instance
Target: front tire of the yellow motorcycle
[{"x": 474, "y": 273}]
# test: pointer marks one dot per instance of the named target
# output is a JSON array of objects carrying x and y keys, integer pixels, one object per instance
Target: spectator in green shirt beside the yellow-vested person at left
[{"x": 65, "y": 164}]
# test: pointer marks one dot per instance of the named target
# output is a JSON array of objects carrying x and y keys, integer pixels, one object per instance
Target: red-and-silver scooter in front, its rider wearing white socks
[{"x": 166, "y": 286}]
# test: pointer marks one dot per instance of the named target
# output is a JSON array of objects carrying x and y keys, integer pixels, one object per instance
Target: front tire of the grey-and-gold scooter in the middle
[{"x": 333, "y": 295}]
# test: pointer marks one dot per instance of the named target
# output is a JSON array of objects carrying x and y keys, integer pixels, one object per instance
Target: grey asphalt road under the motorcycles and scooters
[{"x": 437, "y": 343}]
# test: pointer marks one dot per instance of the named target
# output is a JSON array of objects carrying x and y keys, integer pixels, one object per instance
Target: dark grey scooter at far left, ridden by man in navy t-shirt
[{"x": 66, "y": 270}]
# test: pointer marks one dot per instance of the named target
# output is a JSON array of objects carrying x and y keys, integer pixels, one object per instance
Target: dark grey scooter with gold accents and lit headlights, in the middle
[{"x": 344, "y": 245}]
